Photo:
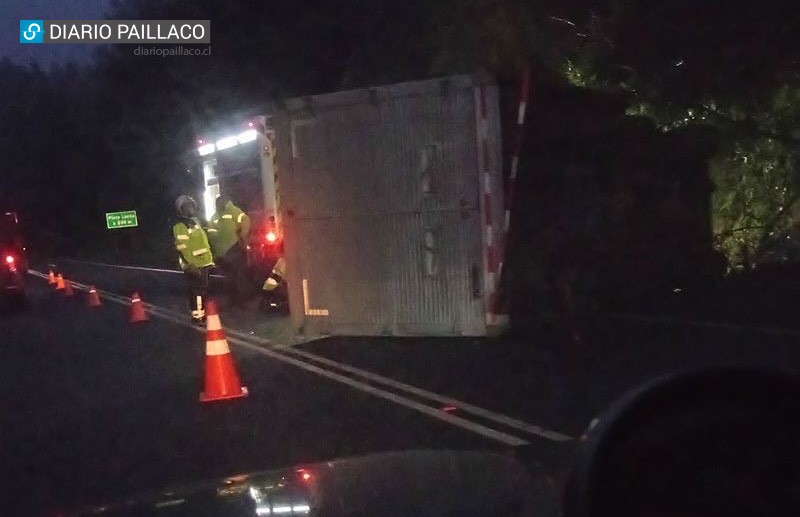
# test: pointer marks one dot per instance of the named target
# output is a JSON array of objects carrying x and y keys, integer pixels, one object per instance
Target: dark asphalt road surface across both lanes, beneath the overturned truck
[{"x": 93, "y": 408}]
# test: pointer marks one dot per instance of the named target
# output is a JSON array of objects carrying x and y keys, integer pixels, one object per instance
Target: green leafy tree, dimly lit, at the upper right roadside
[{"x": 732, "y": 65}]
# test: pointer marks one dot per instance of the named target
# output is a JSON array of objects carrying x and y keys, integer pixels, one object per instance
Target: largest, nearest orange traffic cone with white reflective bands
[{"x": 221, "y": 379}]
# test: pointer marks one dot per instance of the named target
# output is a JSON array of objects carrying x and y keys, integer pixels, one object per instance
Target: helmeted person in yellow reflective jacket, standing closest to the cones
[{"x": 194, "y": 255}]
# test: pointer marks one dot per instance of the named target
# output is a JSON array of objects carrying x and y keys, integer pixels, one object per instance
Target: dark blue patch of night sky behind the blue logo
[{"x": 11, "y": 11}]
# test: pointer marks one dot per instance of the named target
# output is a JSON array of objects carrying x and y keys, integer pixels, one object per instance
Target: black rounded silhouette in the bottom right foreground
[{"x": 722, "y": 442}]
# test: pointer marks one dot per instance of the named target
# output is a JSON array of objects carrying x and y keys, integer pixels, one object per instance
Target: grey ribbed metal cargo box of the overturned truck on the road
[{"x": 391, "y": 198}]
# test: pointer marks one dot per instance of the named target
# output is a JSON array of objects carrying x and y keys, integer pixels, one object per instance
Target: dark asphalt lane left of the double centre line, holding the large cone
[{"x": 93, "y": 408}]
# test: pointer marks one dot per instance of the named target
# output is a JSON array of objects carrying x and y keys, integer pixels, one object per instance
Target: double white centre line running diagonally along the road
[{"x": 282, "y": 354}]
